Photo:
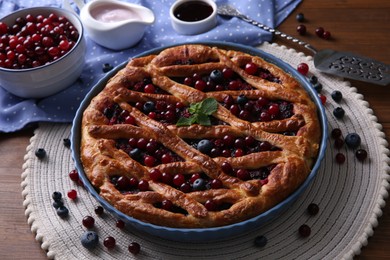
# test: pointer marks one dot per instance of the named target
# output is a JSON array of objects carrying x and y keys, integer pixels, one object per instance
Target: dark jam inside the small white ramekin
[{"x": 193, "y": 11}]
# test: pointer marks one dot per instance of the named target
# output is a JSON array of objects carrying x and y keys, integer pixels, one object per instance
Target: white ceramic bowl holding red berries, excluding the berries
[{"x": 51, "y": 78}]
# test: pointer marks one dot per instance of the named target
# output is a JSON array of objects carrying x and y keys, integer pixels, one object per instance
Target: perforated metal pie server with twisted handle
[{"x": 339, "y": 63}]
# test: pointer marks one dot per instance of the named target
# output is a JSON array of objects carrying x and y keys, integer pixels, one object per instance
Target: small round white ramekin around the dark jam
[{"x": 193, "y": 27}]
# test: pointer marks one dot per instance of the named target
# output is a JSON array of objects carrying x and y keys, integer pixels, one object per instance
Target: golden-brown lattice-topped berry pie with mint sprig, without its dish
[{"x": 197, "y": 136}]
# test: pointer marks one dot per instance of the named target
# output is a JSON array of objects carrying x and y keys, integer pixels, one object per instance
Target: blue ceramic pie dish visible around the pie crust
[{"x": 202, "y": 234}]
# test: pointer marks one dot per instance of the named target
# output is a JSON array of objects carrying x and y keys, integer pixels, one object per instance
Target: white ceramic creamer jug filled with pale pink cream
[{"x": 115, "y": 25}]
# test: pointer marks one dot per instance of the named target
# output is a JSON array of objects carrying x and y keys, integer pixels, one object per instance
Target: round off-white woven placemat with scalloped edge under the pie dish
[{"x": 350, "y": 197}]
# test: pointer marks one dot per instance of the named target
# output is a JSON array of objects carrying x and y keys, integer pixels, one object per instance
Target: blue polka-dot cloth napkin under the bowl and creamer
[{"x": 17, "y": 113}]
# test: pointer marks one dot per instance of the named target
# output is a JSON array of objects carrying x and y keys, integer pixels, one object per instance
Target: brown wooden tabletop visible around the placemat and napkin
[{"x": 359, "y": 26}]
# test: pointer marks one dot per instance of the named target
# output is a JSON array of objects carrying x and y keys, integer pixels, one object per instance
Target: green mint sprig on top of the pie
[{"x": 200, "y": 113}]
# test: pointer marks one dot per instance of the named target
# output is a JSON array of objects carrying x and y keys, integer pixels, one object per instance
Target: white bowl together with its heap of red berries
[{"x": 41, "y": 51}]
